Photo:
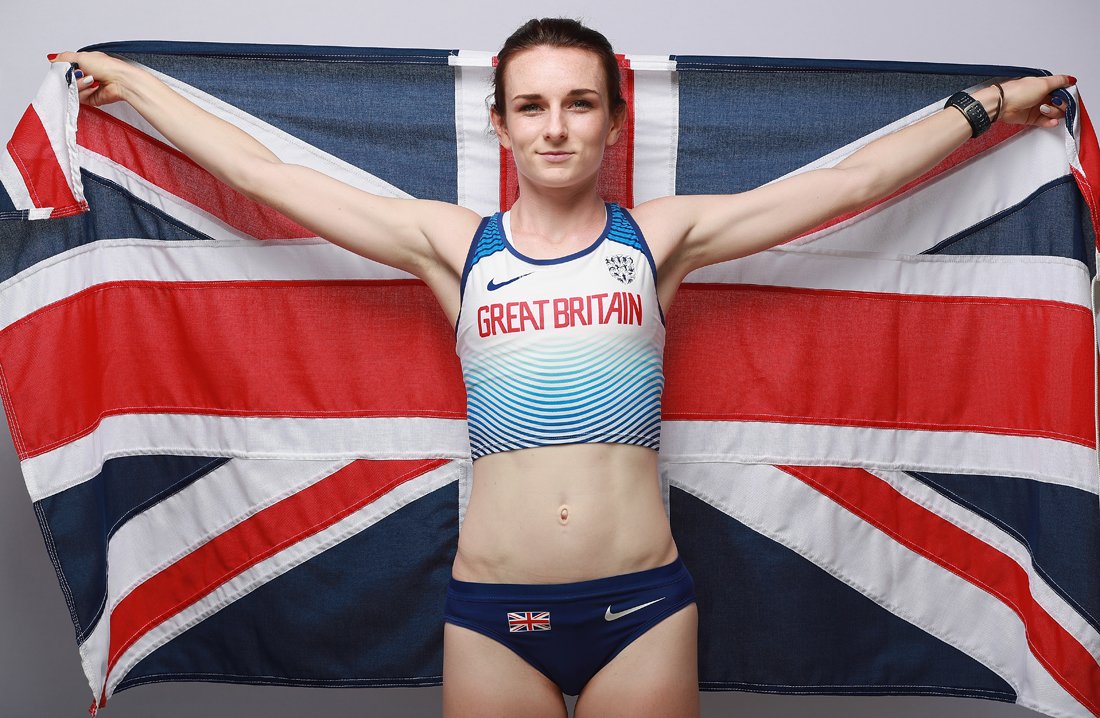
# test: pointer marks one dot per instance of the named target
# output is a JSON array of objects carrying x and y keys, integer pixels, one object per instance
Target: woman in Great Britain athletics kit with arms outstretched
[{"x": 566, "y": 539}]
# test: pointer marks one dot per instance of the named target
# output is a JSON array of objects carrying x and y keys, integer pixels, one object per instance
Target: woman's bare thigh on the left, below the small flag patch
[{"x": 485, "y": 679}]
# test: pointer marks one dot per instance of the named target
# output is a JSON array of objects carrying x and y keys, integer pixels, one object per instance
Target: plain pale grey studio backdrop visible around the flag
[{"x": 40, "y": 671}]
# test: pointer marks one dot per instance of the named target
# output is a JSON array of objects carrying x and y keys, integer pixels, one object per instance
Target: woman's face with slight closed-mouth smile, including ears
[{"x": 558, "y": 116}]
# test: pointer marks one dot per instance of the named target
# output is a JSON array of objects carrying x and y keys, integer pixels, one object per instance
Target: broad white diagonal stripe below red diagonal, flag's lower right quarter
[{"x": 905, "y": 582}]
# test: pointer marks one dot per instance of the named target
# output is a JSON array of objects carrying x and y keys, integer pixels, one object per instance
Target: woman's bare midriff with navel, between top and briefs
[{"x": 564, "y": 514}]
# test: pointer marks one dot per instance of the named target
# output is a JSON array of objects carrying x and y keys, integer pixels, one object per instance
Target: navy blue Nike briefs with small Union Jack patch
[{"x": 569, "y": 632}]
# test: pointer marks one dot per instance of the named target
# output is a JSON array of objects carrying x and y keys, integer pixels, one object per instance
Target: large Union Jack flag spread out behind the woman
[{"x": 247, "y": 447}]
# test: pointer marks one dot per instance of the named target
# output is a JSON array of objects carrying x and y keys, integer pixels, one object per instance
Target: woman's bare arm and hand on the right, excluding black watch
[{"x": 707, "y": 229}]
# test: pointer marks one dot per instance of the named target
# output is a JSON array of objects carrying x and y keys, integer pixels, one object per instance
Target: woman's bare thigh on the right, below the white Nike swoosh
[{"x": 655, "y": 677}]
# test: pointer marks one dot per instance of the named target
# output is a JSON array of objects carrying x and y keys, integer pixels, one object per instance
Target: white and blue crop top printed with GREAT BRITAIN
[{"x": 562, "y": 351}]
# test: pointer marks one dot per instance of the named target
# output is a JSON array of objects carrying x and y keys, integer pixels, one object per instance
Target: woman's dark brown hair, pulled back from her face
[{"x": 558, "y": 32}]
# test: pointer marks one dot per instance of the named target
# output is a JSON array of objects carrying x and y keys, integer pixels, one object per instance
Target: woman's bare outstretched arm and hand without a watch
[{"x": 411, "y": 235}]
